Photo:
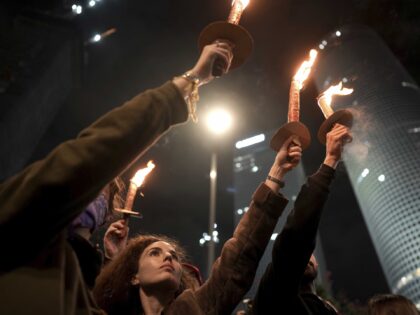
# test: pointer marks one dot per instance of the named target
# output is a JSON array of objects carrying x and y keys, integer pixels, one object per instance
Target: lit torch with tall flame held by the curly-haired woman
[{"x": 294, "y": 127}]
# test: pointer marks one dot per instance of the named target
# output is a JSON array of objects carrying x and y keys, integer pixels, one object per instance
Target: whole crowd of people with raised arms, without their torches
[{"x": 58, "y": 202}]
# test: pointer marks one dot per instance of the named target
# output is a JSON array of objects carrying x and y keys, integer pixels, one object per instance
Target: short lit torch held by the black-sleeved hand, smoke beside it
[{"x": 343, "y": 117}]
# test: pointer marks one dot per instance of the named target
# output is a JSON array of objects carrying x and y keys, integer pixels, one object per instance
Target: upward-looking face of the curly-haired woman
[{"x": 159, "y": 267}]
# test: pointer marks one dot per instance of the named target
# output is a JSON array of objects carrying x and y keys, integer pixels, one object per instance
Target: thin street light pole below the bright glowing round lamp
[{"x": 212, "y": 211}]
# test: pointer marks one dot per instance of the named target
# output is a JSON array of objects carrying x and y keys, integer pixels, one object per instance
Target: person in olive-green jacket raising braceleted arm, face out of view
[{"x": 39, "y": 270}]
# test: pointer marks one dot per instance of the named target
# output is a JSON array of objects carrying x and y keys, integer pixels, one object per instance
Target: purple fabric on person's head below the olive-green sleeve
[{"x": 94, "y": 215}]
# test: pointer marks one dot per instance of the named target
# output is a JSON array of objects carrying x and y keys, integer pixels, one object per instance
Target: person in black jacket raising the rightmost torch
[{"x": 287, "y": 286}]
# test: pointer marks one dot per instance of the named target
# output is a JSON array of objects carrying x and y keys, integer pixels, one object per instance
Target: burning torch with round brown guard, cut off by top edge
[{"x": 231, "y": 31}]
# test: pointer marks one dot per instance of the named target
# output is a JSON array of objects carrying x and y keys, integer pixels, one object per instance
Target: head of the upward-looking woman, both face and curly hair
[{"x": 117, "y": 288}]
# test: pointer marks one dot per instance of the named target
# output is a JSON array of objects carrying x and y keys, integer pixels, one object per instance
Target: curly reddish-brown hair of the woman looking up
[{"x": 114, "y": 291}]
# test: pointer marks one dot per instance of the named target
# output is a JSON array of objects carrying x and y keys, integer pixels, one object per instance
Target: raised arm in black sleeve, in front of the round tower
[{"x": 295, "y": 244}]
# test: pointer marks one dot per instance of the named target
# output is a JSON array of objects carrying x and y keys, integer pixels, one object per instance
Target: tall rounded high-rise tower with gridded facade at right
[{"x": 384, "y": 159}]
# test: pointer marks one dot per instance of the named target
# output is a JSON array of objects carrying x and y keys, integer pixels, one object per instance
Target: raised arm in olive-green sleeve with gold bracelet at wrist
[{"x": 42, "y": 199}]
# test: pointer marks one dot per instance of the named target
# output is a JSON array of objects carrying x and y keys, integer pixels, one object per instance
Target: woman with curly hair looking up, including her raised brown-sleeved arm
[{"x": 147, "y": 277}]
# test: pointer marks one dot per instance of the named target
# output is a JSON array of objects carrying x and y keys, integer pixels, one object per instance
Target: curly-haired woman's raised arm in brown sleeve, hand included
[{"x": 233, "y": 272}]
